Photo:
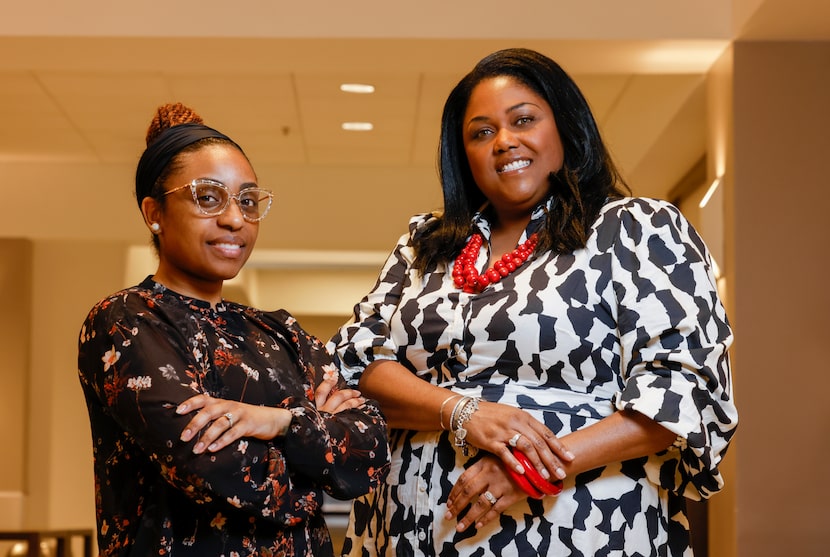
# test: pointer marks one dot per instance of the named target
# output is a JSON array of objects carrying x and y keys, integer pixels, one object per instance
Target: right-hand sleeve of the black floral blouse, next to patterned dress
[{"x": 347, "y": 452}]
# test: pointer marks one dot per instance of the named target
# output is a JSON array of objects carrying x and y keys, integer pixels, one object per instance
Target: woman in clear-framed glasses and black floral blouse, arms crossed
[{"x": 216, "y": 427}]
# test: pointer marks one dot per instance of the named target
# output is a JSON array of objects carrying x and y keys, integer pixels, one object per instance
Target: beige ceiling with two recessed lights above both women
[{"x": 79, "y": 83}]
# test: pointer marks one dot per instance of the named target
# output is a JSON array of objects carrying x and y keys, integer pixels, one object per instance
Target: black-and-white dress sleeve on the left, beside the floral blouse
[{"x": 367, "y": 336}]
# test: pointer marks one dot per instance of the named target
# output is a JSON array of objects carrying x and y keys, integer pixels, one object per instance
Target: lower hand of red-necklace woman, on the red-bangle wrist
[{"x": 487, "y": 488}]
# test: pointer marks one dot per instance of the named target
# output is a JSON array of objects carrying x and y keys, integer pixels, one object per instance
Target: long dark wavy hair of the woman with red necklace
[{"x": 586, "y": 180}]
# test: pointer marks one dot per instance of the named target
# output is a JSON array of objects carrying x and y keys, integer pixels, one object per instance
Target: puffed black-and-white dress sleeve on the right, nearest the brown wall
[{"x": 675, "y": 338}]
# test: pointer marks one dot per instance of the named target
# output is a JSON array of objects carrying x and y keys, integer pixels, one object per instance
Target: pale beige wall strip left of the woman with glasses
[{"x": 68, "y": 278}]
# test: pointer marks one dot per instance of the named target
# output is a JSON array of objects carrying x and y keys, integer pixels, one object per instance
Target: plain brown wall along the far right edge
[{"x": 781, "y": 299}]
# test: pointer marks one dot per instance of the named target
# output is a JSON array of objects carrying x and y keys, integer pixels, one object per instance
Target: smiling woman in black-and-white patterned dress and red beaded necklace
[{"x": 550, "y": 354}]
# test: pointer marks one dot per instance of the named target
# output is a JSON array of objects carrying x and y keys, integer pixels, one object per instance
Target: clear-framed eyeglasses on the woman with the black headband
[{"x": 213, "y": 198}]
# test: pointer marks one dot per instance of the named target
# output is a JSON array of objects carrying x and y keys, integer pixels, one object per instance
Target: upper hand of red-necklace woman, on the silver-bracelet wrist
[{"x": 494, "y": 427}]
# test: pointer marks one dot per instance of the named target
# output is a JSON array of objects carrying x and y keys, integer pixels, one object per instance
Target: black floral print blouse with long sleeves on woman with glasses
[{"x": 144, "y": 350}]
